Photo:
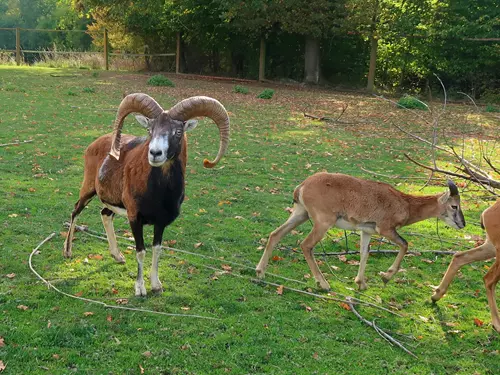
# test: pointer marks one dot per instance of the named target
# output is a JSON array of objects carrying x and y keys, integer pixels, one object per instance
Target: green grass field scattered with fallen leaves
[{"x": 228, "y": 214}]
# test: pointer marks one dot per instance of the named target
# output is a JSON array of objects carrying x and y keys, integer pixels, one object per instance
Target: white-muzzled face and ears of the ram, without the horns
[{"x": 166, "y": 136}]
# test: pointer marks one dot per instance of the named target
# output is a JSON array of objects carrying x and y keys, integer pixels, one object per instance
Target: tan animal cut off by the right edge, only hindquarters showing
[{"x": 490, "y": 220}]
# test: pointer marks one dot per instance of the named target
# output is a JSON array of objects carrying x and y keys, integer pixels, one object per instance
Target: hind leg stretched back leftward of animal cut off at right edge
[{"x": 461, "y": 258}]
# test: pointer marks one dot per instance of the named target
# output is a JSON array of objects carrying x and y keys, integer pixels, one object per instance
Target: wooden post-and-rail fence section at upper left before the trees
[{"x": 106, "y": 52}]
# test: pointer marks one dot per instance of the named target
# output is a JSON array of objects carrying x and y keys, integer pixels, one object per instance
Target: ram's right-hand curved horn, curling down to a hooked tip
[{"x": 209, "y": 107}]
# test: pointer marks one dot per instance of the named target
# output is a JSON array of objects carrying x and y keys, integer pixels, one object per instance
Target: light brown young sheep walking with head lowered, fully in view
[{"x": 338, "y": 200}]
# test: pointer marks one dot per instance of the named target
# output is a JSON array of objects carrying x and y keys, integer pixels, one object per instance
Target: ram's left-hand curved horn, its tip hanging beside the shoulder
[{"x": 140, "y": 103}]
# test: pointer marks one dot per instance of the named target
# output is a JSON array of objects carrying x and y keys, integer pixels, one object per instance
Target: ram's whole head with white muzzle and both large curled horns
[{"x": 167, "y": 128}]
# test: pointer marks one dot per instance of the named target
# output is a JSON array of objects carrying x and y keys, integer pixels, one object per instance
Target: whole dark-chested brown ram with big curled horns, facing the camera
[{"x": 143, "y": 177}]
